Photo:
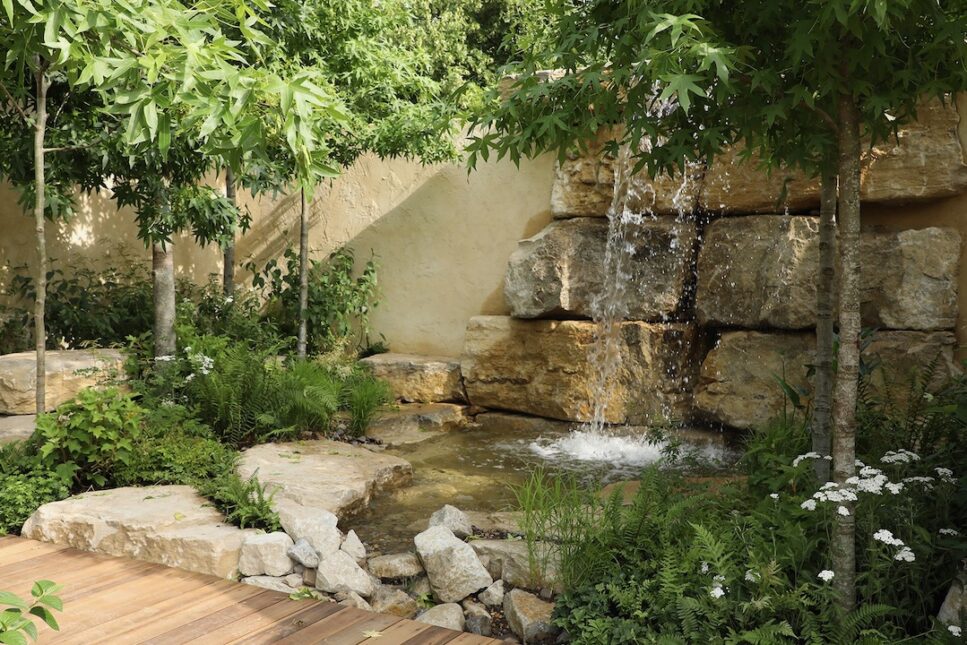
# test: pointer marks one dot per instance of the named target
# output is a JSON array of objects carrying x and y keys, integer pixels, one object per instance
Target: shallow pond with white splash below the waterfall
[{"x": 477, "y": 468}]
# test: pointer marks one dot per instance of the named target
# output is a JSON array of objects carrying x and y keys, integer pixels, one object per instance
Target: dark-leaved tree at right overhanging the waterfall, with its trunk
[{"x": 798, "y": 84}]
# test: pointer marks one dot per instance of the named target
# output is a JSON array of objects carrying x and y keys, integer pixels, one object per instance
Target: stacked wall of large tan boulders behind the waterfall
[{"x": 723, "y": 297}]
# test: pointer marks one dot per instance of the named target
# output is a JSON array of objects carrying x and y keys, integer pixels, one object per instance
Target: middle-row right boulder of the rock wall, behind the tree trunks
[{"x": 761, "y": 271}]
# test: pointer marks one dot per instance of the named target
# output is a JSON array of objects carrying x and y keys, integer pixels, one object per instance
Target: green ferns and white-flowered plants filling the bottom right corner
[{"x": 747, "y": 560}]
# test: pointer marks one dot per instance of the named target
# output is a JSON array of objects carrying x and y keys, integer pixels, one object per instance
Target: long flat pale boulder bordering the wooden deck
[{"x": 170, "y": 525}]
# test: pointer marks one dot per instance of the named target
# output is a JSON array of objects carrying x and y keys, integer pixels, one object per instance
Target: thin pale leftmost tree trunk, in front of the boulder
[{"x": 40, "y": 301}]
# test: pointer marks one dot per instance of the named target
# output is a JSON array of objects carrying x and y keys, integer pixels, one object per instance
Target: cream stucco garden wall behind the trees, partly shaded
[{"x": 441, "y": 237}]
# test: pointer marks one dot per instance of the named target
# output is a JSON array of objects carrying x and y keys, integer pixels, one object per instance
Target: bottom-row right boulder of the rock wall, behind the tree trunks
[{"x": 738, "y": 385}]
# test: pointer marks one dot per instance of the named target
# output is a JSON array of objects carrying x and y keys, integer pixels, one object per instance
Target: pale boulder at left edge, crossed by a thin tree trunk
[{"x": 68, "y": 372}]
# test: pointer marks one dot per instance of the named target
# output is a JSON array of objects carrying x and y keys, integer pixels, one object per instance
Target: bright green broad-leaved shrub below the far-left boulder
[{"x": 86, "y": 439}]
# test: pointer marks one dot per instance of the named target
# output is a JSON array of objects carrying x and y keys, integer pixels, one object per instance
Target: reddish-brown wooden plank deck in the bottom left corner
[{"x": 119, "y": 601}]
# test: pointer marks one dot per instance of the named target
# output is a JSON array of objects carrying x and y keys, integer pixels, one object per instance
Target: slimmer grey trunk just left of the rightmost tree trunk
[{"x": 822, "y": 408}]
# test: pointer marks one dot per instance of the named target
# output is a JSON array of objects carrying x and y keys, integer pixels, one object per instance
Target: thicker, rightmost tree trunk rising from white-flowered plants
[{"x": 848, "y": 359}]
